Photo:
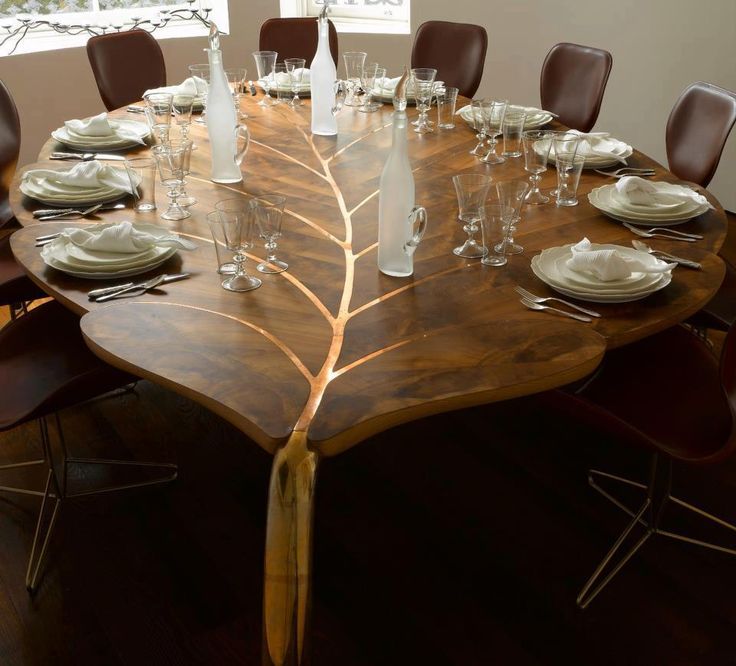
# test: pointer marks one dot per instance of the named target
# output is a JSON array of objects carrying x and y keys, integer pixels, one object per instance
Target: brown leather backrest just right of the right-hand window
[{"x": 456, "y": 50}]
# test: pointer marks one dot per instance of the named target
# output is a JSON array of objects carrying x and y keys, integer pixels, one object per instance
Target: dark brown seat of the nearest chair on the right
[{"x": 661, "y": 393}]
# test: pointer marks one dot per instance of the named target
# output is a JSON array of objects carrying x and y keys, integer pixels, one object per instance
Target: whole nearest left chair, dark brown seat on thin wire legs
[{"x": 45, "y": 367}]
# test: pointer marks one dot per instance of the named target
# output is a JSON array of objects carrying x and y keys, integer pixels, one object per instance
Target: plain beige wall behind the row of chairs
[{"x": 658, "y": 47}]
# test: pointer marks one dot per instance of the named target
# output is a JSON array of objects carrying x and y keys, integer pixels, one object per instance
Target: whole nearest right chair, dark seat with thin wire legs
[{"x": 670, "y": 395}]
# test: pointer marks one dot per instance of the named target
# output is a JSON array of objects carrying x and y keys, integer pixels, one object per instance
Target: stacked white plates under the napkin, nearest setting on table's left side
[{"x": 74, "y": 260}]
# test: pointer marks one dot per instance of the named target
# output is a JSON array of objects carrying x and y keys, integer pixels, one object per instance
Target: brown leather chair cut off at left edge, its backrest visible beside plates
[{"x": 15, "y": 288}]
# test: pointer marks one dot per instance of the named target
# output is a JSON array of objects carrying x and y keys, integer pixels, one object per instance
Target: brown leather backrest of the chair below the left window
[{"x": 125, "y": 65}]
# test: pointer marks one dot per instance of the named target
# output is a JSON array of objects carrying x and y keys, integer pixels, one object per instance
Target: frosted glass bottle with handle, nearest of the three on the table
[{"x": 401, "y": 224}]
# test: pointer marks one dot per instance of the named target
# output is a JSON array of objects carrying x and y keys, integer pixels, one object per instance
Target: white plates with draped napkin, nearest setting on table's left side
[{"x": 110, "y": 250}]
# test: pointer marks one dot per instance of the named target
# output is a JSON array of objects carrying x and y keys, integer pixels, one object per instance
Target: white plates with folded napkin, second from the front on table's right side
[{"x": 636, "y": 201}]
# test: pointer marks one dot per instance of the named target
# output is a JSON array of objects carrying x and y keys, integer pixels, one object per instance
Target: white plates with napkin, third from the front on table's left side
[{"x": 100, "y": 133}]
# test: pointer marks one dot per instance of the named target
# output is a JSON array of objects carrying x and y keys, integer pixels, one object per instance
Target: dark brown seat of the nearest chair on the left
[{"x": 47, "y": 366}]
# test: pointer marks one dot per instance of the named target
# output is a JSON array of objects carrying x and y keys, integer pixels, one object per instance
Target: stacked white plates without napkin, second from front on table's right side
[{"x": 611, "y": 202}]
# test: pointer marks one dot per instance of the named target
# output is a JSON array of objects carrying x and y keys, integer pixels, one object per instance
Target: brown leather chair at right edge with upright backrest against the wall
[{"x": 697, "y": 130}]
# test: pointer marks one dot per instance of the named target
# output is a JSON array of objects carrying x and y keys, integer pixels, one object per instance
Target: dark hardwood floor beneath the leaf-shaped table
[{"x": 458, "y": 540}]
